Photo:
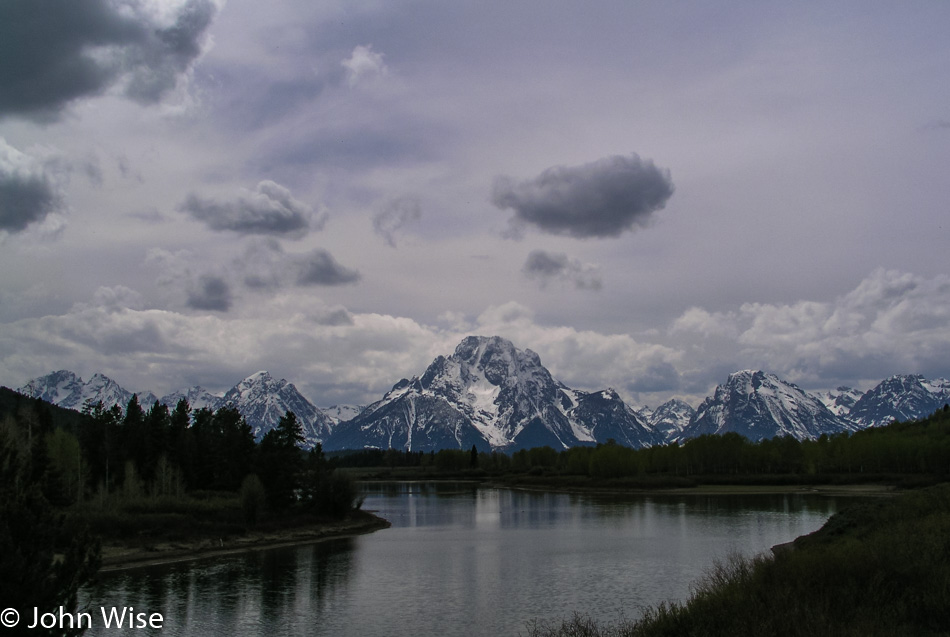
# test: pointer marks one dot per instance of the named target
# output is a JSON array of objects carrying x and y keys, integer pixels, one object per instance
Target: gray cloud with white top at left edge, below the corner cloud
[{"x": 27, "y": 192}]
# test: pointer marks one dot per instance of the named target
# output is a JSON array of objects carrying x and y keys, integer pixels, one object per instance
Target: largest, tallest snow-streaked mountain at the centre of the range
[{"x": 491, "y": 395}]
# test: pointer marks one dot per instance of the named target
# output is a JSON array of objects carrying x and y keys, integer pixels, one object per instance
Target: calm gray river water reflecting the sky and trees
[{"x": 461, "y": 560}]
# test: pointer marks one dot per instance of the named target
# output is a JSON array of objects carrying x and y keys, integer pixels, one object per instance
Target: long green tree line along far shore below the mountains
[{"x": 915, "y": 447}]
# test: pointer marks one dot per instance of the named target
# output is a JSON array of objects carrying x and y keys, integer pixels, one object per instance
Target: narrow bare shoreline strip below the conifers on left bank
[{"x": 118, "y": 558}]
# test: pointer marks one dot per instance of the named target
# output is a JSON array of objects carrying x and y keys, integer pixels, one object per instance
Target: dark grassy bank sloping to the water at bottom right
[{"x": 881, "y": 568}]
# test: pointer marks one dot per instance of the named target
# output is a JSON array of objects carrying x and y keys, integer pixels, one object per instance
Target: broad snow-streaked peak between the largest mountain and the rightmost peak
[{"x": 758, "y": 405}]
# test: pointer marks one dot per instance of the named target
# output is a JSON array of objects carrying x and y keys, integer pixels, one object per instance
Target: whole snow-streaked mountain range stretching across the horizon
[{"x": 494, "y": 396}]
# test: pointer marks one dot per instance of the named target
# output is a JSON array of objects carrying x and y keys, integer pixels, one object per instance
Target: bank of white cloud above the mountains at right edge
[{"x": 892, "y": 322}]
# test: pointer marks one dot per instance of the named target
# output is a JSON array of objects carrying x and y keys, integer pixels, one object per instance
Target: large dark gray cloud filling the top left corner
[{"x": 56, "y": 53}]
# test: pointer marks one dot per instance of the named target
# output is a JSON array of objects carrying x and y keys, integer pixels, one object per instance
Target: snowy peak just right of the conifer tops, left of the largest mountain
[{"x": 263, "y": 400}]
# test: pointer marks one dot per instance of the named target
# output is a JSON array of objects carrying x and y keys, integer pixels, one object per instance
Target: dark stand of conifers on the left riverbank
[{"x": 167, "y": 453}]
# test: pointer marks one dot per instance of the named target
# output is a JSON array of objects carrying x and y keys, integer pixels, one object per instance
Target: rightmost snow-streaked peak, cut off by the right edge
[{"x": 900, "y": 397}]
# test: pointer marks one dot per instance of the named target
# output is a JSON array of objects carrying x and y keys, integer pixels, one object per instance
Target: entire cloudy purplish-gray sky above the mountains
[{"x": 650, "y": 195}]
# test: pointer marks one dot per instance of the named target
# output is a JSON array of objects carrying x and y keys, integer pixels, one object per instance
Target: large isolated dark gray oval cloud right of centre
[{"x": 600, "y": 199}]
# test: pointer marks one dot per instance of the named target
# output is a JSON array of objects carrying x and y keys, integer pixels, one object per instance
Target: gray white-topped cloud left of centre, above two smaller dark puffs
[{"x": 269, "y": 210}]
